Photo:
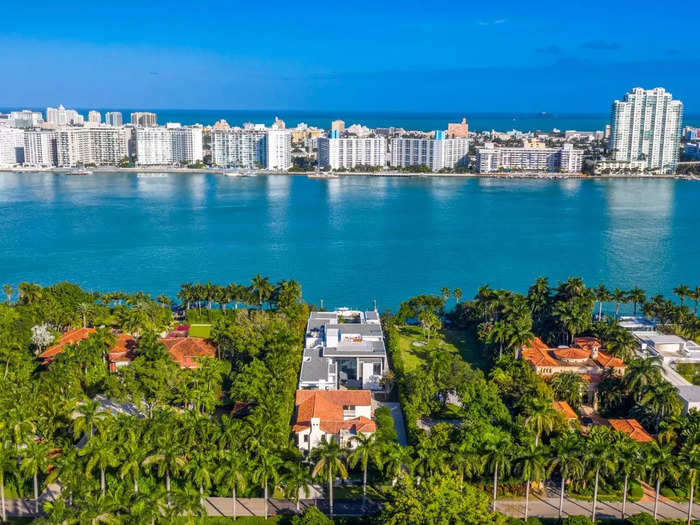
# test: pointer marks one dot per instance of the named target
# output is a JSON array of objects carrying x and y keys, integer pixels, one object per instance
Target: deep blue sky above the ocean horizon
[{"x": 564, "y": 56}]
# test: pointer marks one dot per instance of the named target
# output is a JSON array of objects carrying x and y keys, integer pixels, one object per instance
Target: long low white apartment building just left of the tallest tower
[{"x": 491, "y": 159}]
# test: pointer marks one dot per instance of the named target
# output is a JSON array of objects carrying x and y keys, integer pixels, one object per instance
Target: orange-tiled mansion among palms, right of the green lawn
[{"x": 585, "y": 357}]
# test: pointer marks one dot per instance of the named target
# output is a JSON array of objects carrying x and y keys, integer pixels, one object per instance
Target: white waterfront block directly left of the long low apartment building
[{"x": 439, "y": 153}]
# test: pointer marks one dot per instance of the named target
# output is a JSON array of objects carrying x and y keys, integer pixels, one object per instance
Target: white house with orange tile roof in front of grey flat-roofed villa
[{"x": 332, "y": 414}]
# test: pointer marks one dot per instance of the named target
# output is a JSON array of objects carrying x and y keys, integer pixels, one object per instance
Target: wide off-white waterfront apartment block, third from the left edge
[{"x": 99, "y": 146}]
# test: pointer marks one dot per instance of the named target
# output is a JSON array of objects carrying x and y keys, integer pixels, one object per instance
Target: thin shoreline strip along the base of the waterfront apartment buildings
[{"x": 337, "y": 175}]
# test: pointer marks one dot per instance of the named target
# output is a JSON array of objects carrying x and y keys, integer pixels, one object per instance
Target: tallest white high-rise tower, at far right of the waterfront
[{"x": 646, "y": 126}]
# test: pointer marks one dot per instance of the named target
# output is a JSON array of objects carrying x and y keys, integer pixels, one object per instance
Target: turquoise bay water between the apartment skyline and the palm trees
[{"x": 348, "y": 240}]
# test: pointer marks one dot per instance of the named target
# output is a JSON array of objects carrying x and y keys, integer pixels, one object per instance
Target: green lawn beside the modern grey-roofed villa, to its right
[{"x": 458, "y": 341}]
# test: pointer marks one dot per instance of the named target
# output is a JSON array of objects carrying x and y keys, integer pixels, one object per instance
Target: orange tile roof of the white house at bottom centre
[{"x": 327, "y": 405}]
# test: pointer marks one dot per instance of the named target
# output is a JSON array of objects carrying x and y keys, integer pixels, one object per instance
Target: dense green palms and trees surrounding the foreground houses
[{"x": 481, "y": 423}]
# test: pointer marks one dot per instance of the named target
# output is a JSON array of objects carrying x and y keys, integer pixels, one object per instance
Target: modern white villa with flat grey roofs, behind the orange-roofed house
[{"x": 343, "y": 349}]
